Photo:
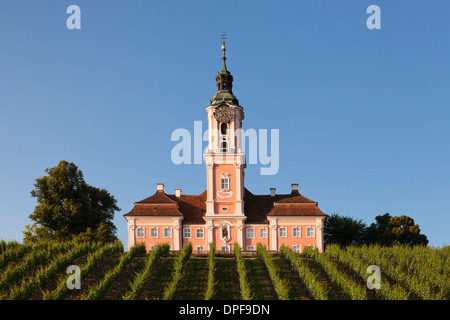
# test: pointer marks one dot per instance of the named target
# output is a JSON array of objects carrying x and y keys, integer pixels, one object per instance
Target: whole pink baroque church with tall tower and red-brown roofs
[{"x": 226, "y": 212}]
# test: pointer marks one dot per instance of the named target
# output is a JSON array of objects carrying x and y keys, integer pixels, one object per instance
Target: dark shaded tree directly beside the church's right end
[{"x": 343, "y": 230}]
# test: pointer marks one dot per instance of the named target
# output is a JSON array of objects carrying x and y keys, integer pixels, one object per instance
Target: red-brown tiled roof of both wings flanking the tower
[{"x": 256, "y": 207}]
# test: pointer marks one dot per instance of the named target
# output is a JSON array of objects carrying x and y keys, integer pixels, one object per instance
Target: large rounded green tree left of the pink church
[{"x": 68, "y": 207}]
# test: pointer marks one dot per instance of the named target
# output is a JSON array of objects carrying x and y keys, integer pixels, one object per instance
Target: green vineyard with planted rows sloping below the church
[{"x": 107, "y": 272}]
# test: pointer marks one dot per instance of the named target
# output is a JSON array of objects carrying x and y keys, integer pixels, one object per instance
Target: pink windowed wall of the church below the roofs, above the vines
[{"x": 293, "y": 233}]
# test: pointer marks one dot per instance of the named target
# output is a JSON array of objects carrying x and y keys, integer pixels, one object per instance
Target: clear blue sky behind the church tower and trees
[{"x": 362, "y": 114}]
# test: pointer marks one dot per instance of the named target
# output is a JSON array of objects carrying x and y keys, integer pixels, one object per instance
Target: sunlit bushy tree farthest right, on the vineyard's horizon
[{"x": 390, "y": 230}]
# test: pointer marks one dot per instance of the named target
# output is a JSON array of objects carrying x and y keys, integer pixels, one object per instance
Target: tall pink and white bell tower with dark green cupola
[{"x": 224, "y": 157}]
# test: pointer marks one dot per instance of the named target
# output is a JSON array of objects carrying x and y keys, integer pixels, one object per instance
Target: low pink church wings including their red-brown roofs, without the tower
[{"x": 296, "y": 231}]
